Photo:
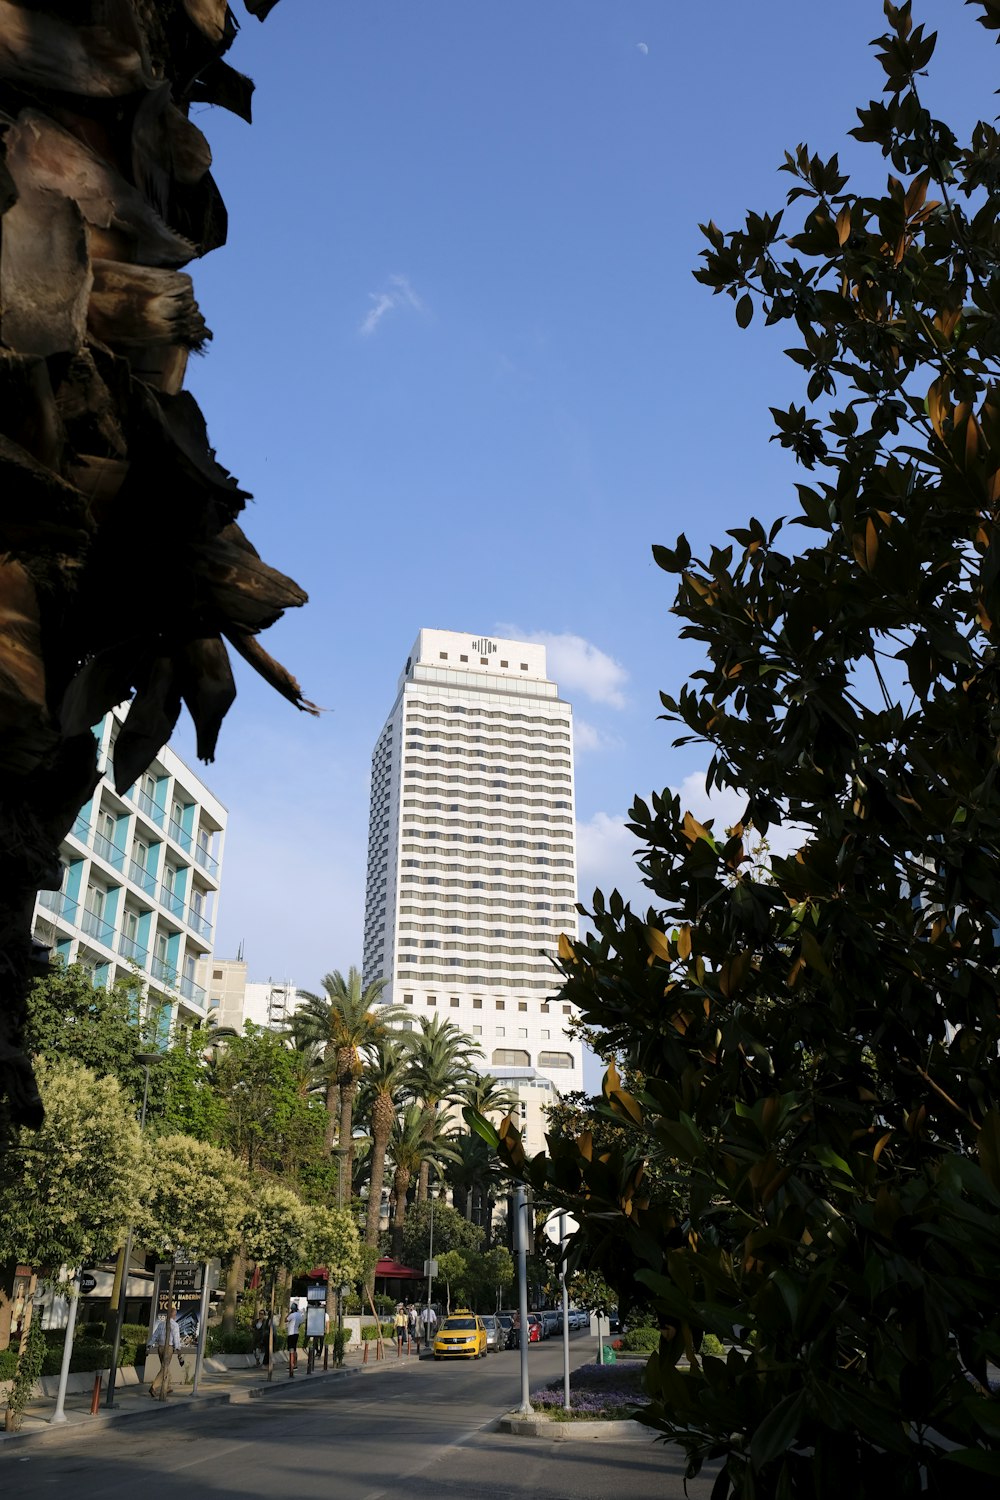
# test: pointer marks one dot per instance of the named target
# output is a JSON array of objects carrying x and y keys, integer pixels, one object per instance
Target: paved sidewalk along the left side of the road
[{"x": 218, "y": 1385}]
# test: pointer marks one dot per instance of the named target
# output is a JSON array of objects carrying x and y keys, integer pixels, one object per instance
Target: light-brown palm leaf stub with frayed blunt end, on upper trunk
[{"x": 145, "y": 305}]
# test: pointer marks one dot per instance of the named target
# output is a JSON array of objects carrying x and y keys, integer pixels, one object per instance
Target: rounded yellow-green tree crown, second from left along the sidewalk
[{"x": 196, "y": 1199}]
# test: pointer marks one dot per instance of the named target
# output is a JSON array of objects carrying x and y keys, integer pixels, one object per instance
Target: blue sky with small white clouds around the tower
[{"x": 461, "y": 362}]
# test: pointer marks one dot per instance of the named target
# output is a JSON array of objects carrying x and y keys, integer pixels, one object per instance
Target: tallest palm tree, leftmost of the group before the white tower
[{"x": 346, "y": 1019}]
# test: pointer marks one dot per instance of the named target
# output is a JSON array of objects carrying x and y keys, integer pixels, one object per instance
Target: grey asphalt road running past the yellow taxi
[{"x": 416, "y": 1432}]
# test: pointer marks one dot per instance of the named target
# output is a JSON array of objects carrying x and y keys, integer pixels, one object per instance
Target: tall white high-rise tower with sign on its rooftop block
[{"x": 472, "y": 872}]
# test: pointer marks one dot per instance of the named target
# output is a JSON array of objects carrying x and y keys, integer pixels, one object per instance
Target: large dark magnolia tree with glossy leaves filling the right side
[{"x": 819, "y": 1051}]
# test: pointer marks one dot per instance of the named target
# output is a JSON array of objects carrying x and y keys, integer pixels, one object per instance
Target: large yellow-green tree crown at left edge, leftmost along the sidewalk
[{"x": 70, "y": 1189}]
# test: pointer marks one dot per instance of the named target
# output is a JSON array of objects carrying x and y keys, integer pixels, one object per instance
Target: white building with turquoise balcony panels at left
[{"x": 142, "y": 883}]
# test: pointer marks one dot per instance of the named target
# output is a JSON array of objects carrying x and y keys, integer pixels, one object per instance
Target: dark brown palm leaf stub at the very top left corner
[{"x": 40, "y": 50}]
